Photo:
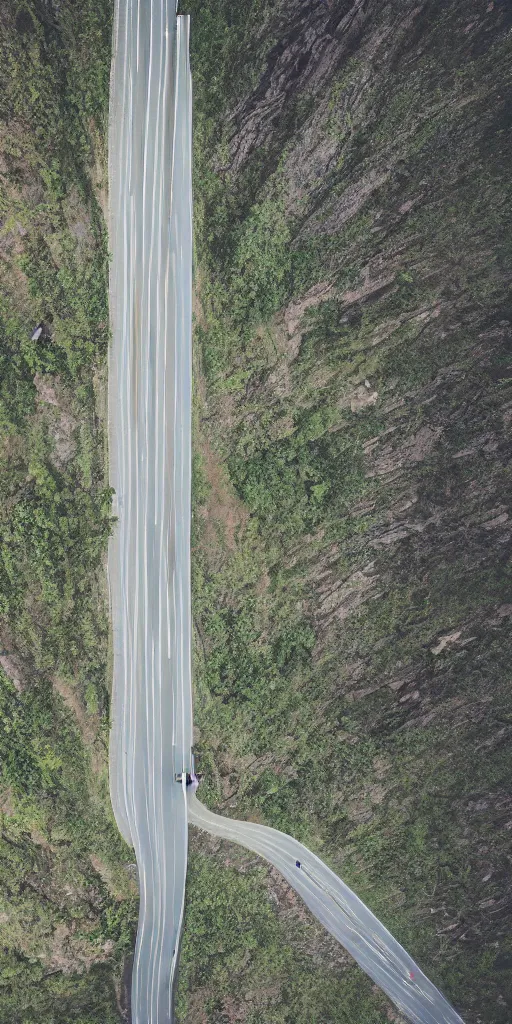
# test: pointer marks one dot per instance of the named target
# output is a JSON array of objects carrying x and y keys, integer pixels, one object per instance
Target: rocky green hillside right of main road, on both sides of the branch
[{"x": 352, "y": 532}]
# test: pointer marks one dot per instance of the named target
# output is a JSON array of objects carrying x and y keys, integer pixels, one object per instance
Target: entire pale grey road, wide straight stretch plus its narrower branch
[{"x": 150, "y": 370}]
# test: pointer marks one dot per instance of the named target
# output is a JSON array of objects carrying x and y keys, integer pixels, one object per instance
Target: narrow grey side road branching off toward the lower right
[{"x": 340, "y": 911}]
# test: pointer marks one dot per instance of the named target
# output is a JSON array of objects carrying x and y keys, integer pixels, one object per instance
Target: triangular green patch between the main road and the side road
[{"x": 235, "y": 944}]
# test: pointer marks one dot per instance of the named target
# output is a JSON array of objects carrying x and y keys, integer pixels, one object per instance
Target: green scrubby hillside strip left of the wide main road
[{"x": 68, "y": 906}]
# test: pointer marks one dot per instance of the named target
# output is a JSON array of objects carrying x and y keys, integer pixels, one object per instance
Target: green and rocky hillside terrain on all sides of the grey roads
[{"x": 351, "y": 526}]
